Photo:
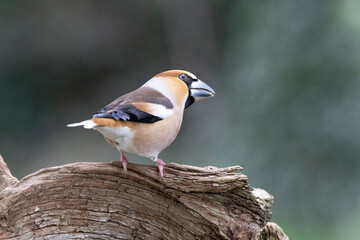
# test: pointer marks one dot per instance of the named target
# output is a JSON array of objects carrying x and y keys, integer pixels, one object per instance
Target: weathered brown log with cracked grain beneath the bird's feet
[{"x": 98, "y": 201}]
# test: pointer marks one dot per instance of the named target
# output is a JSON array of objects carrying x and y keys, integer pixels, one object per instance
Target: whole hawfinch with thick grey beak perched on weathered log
[{"x": 147, "y": 120}]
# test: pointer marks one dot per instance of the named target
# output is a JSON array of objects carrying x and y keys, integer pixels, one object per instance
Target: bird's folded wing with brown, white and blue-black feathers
[{"x": 144, "y": 105}]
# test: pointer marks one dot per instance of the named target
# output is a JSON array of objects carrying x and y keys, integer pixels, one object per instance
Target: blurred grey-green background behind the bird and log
[{"x": 286, "y": 74}]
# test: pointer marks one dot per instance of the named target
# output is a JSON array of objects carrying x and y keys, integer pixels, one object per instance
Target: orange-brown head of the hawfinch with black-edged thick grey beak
[{"x": 181, "y": 87}]
